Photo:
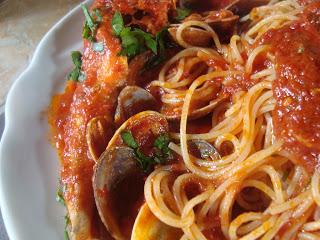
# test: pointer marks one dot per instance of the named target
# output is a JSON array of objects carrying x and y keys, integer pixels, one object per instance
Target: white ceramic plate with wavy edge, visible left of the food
[{"x": 28, "y": 163}]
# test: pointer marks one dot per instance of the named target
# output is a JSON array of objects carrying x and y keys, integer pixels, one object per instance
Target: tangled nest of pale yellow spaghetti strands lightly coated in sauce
[{"x": 257, "y": 161}]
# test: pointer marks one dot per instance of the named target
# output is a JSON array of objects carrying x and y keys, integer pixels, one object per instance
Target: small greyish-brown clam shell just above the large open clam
[{"x": 132, "y": 100}]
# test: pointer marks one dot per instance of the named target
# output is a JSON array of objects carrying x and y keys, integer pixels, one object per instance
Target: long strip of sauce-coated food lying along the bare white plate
[{"x": 69, "y": 114}]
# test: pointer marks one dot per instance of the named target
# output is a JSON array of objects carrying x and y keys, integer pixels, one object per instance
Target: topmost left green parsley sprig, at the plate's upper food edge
[{"x": 91, "y": 23}]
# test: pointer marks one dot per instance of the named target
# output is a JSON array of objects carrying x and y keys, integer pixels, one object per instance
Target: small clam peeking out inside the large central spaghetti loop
[{"x": 204, "y": 150}]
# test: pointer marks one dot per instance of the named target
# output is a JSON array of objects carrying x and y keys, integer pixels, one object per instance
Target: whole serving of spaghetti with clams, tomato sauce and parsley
[{"x": 192, "y": 120}]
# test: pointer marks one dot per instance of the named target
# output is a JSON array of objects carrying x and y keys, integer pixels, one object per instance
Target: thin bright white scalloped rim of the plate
[{"x": 8, "y": 222}]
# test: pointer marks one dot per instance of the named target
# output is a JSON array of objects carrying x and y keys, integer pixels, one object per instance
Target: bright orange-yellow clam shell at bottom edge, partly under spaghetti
[{"x": 148, "y": 227}]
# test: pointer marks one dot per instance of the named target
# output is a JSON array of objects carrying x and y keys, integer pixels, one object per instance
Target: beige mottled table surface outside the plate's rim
[{"x": 22, "y": 25}]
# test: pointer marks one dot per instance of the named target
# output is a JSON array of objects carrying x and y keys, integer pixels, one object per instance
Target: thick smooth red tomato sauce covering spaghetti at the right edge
[{"x": 297, "y": 86}]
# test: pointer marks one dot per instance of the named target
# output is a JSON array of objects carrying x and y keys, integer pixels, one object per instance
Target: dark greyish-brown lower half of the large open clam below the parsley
[{"x": 118, "y": 184}]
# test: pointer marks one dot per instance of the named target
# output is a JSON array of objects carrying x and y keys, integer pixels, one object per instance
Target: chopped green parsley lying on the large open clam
[{"x": 162, "y": 151}]
